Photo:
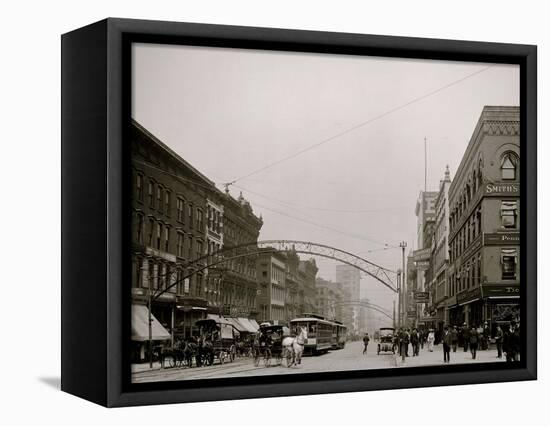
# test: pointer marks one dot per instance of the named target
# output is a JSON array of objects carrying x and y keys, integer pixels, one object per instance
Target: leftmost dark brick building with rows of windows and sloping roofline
[{"x": 168, "y": 198}]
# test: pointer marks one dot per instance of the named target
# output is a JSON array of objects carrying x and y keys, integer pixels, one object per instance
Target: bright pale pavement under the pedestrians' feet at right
[{"x": 426, "y": 357}]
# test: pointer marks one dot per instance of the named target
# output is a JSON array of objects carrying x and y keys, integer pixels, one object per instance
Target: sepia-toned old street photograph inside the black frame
[{"x": 299, "y": 212}]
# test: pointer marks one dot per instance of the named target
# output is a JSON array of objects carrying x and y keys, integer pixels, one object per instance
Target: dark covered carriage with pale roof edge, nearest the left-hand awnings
[{"x": 216, "y": 341}]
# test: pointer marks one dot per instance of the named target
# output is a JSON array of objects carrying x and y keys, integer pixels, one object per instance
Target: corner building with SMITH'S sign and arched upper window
[{"x": 484, "y": 222}]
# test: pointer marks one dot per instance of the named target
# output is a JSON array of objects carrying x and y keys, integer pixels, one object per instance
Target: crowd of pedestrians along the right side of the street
[{"x": 471, "y": 339}]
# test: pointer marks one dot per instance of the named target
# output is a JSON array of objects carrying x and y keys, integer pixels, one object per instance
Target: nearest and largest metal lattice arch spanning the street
[{"x": 381, "y": 274}]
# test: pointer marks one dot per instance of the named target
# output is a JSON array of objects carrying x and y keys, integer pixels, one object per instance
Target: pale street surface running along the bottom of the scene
[{"x": 349, "y": 358}]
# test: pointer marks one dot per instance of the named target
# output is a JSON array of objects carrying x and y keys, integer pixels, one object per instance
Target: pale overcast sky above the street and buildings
[{"x": 232, "y": 113}]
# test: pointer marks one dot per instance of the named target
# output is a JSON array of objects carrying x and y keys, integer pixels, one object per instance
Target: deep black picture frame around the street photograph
[{"x": 95, "y": 235}]
